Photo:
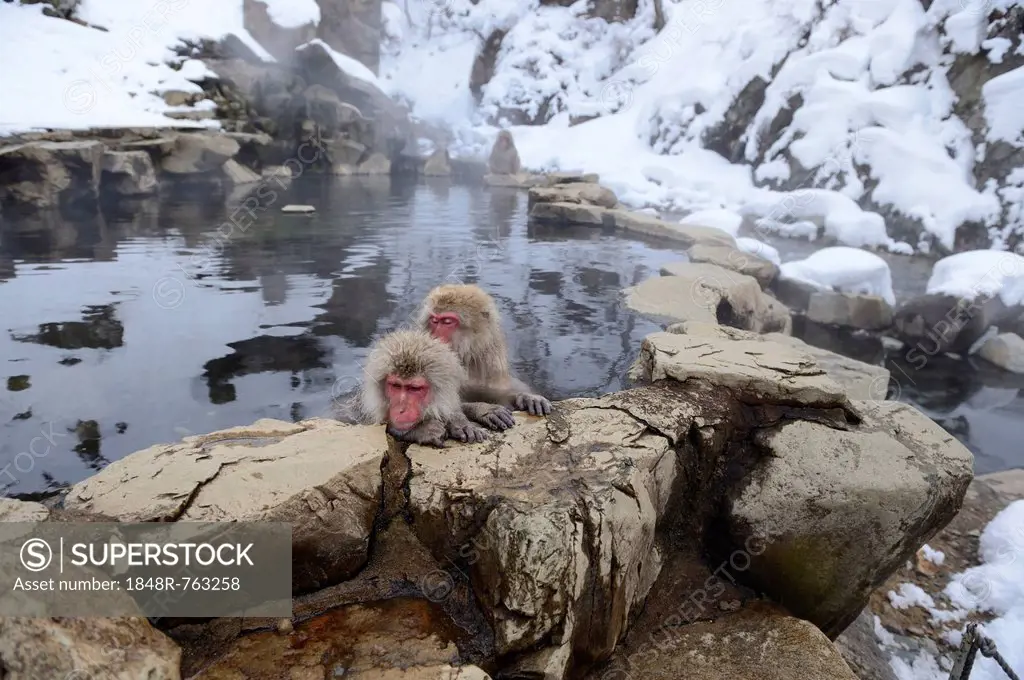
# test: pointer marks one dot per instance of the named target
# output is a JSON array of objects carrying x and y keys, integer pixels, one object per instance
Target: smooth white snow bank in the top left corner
[{"x": 72, "y": 77}]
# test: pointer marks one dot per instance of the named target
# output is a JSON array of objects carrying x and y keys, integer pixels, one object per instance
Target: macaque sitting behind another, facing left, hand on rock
[{"x": 466, "y": 318}]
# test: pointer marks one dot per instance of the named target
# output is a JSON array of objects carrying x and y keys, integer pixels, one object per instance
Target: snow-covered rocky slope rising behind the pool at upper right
[{"x": 855, "y": 100}]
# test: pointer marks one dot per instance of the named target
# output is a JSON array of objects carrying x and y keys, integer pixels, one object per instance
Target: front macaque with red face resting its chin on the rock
[{"x": 412, "y": 385}]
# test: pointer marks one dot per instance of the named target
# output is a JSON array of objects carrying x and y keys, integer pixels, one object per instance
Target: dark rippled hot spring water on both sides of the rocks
[{"x": 124, "y": 332}]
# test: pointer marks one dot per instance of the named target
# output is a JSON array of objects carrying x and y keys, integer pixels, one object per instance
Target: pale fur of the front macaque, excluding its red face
[{"x": 416, "y": 354}]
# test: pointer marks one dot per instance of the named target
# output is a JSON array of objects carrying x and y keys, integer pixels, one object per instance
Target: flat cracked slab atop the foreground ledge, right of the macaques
[{"x": 757, "y": 371}]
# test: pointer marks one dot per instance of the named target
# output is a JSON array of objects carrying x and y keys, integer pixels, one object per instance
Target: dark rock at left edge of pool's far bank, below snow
[{"x": 51, "y": 175}]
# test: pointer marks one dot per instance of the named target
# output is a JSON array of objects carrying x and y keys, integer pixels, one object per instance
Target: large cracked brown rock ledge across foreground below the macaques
[{"x": 744, "y": 487}]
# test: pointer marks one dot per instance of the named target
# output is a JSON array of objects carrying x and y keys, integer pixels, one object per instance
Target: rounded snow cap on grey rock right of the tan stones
[{"x": 844, "y": 270}]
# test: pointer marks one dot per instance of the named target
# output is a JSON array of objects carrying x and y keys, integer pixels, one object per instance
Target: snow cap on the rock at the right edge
[{"x": 979, "y": 273}]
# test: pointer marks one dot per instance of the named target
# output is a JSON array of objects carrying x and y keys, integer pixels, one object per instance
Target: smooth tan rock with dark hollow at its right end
[{"x": 690, "y": 292}]
